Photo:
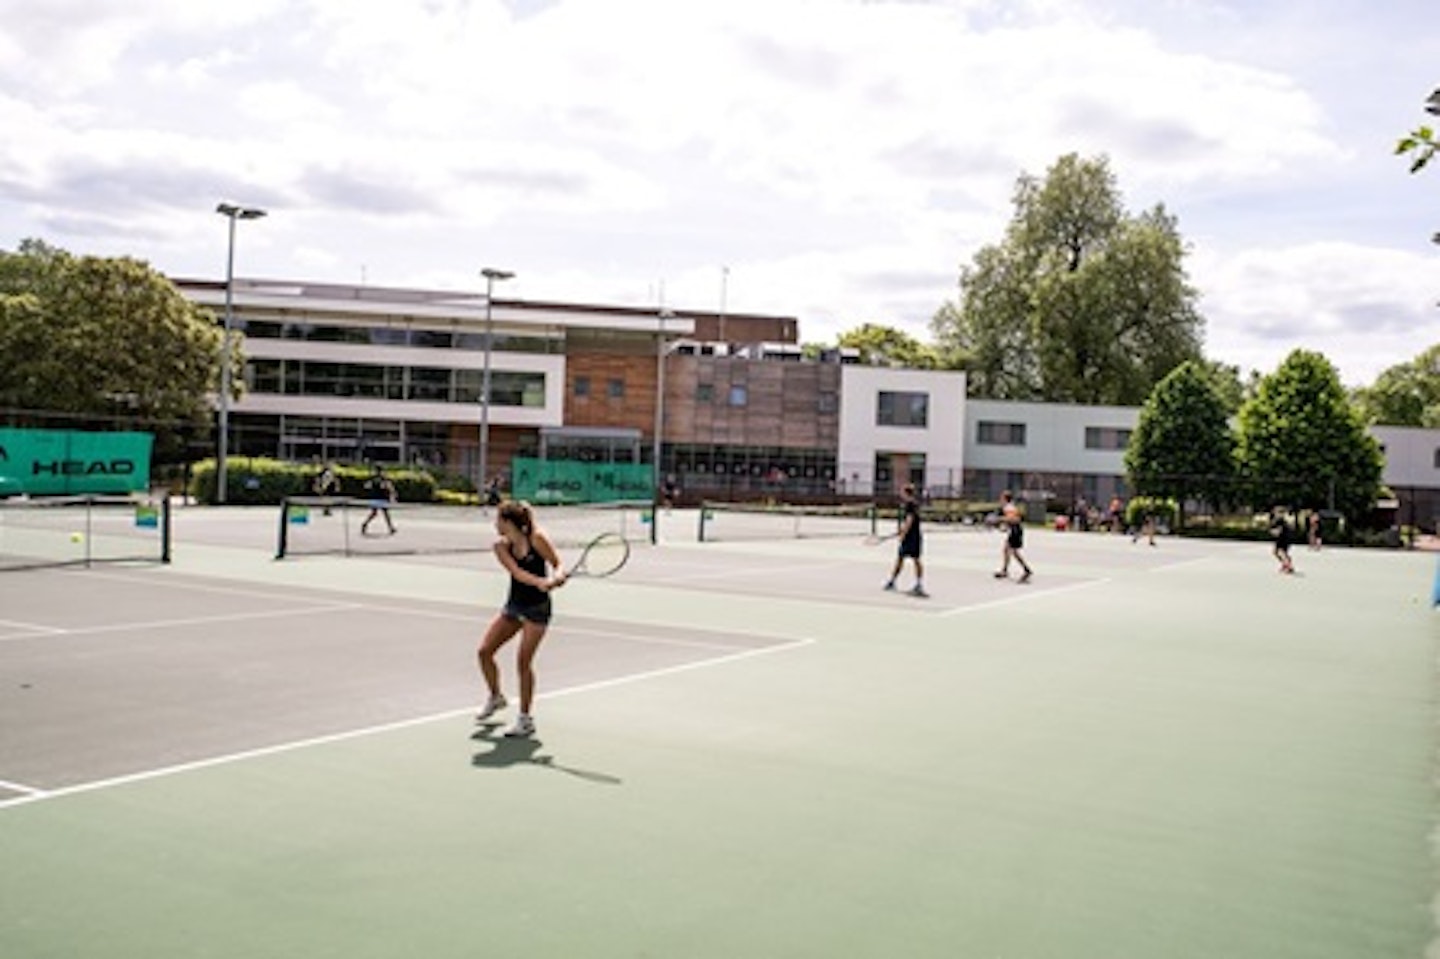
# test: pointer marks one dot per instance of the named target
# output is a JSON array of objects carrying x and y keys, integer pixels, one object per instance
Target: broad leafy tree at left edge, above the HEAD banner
[{"x": 102, "y": 339}]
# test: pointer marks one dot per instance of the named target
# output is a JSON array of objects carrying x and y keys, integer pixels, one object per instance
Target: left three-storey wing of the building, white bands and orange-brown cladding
[{"x": 365, "y": 374}]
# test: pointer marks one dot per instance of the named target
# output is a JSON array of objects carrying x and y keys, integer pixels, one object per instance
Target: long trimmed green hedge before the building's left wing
[{"x": 260, "y": 482}]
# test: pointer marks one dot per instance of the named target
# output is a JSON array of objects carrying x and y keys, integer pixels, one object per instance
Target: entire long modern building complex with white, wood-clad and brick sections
[{"x": 362, "y": 374}]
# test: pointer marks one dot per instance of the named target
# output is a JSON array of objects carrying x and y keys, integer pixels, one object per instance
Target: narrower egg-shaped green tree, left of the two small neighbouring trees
[{"x": 1183, "y": 447}]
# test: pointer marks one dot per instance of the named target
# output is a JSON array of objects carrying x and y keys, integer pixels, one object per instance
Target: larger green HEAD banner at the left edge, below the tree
[{"x": 70, "y": 462}]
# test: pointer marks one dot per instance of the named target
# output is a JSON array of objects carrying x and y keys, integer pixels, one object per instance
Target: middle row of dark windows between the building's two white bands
[{"x": 433, "y": 385}]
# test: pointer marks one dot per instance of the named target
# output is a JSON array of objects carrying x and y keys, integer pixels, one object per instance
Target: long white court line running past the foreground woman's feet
[{"x": 369, "y": 731}]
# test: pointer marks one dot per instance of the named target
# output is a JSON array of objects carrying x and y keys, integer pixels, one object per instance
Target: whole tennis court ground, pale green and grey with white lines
[{"x": 745, "y": 749}]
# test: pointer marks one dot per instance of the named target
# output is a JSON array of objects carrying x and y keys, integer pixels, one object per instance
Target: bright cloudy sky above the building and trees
[{"x": 834, "y": 161}]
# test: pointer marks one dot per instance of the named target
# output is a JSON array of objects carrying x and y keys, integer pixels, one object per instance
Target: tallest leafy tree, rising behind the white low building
[{"x": 1081, "y": 303}]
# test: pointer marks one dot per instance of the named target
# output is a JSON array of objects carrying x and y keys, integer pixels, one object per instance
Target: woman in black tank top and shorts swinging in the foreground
[{"x": 535, "y": 569}]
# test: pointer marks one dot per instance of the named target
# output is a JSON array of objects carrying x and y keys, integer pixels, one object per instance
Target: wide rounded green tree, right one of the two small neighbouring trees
[{"x": 1304, "y": 444}]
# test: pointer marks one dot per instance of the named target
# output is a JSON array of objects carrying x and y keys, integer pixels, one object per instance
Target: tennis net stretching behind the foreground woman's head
[{"x": 336, "y": 526}]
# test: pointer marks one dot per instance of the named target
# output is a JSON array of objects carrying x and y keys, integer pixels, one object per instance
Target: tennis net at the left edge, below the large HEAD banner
[{"x": 80, "y": 531}]
